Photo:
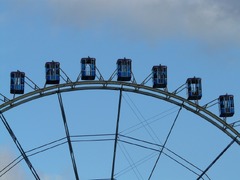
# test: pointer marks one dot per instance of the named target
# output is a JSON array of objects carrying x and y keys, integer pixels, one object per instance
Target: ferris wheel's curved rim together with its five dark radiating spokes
[{"x": 120, "y": 86}]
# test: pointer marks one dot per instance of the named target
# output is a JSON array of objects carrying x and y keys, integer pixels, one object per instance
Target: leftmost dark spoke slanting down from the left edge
[{"x": 19, "y": 147}]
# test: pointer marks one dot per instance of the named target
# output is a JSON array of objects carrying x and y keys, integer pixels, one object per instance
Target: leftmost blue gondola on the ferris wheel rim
[{"x": 17, "y": 82}]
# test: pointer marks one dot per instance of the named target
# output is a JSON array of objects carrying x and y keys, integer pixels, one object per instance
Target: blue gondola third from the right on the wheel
[{"x": 159, "y": 75}]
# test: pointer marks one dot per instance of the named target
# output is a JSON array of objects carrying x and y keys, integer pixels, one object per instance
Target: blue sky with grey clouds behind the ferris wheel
[{"x": 193, "y": 38}]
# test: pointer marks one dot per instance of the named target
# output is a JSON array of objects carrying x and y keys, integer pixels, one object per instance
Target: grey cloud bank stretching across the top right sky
[{"x": 206, "y": 19}]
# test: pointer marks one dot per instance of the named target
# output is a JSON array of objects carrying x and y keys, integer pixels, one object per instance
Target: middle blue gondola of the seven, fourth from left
[{"x": 124, "y": 69}]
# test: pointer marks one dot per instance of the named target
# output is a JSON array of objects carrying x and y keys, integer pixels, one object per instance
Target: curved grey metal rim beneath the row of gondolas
[{"x": 128, "y": 87}]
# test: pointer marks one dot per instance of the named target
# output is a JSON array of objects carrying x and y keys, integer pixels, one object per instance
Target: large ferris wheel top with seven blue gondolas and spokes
[{"x": 109, "y": 135}]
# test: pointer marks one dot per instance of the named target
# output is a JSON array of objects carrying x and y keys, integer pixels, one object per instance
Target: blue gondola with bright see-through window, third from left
[{"x": 88, "y": 68}]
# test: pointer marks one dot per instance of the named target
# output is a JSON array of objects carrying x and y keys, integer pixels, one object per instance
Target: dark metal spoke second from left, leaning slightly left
[{"x": 68, "y": 136}]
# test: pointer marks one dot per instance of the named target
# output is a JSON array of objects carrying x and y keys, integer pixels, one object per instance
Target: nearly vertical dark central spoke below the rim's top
[{"x": 116, "y": 134}]
